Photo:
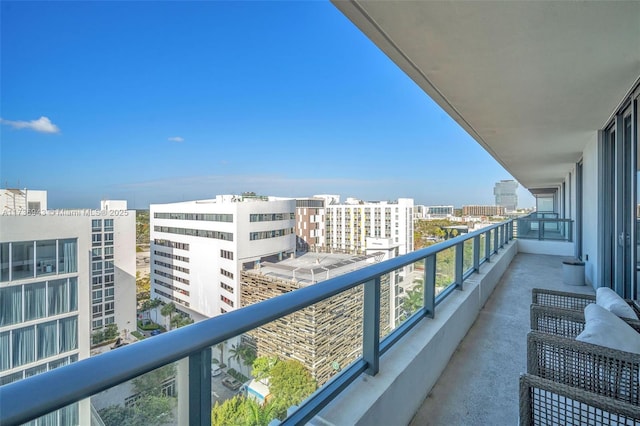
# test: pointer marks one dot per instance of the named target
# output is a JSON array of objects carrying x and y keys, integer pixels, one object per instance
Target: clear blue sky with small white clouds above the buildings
[{"x": 167, "y": 101}]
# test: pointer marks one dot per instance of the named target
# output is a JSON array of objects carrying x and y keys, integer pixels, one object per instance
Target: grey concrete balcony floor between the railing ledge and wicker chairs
[{"x": 480, "y": 383}]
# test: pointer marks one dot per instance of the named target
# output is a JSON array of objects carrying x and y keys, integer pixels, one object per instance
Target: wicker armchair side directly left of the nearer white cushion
[{"x": 563, "y": 322}]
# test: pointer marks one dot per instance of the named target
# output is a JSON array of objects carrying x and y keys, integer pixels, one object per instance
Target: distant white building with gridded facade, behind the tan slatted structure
[{"x": 349, "y": 225}]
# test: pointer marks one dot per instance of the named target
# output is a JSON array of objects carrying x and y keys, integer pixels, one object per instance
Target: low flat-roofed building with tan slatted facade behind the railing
[{"x": 308, "y": 335}]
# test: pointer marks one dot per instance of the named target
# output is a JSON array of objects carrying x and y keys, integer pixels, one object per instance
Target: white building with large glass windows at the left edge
[{"x": 51, "y": 294}]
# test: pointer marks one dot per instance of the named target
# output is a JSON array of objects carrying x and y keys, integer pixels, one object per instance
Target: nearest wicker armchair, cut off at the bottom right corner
[{"x": 545, "y": 402}]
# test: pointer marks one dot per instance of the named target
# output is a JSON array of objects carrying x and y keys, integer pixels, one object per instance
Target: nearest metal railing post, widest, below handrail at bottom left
[{"x": 200, "y": 388}]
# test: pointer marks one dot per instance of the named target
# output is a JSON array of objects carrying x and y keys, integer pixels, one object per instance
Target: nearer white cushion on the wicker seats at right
[{"x": 606, "y": 329}]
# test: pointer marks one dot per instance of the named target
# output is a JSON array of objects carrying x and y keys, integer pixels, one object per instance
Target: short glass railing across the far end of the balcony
[{"x": 544, "y": 226}]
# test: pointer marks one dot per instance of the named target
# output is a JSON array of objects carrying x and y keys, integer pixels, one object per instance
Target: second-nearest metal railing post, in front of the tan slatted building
[{"x": 371, "y": 326}]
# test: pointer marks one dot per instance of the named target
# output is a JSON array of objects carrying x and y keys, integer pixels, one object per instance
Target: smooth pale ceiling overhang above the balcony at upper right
[{"x": 531, "y": 81}]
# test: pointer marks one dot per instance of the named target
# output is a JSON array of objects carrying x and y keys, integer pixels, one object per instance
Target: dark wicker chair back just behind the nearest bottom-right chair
[{"x": 598, "y": 369}]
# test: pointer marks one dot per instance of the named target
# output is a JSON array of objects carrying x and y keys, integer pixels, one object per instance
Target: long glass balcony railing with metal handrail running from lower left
[{"x": 337, "y": 328}]
